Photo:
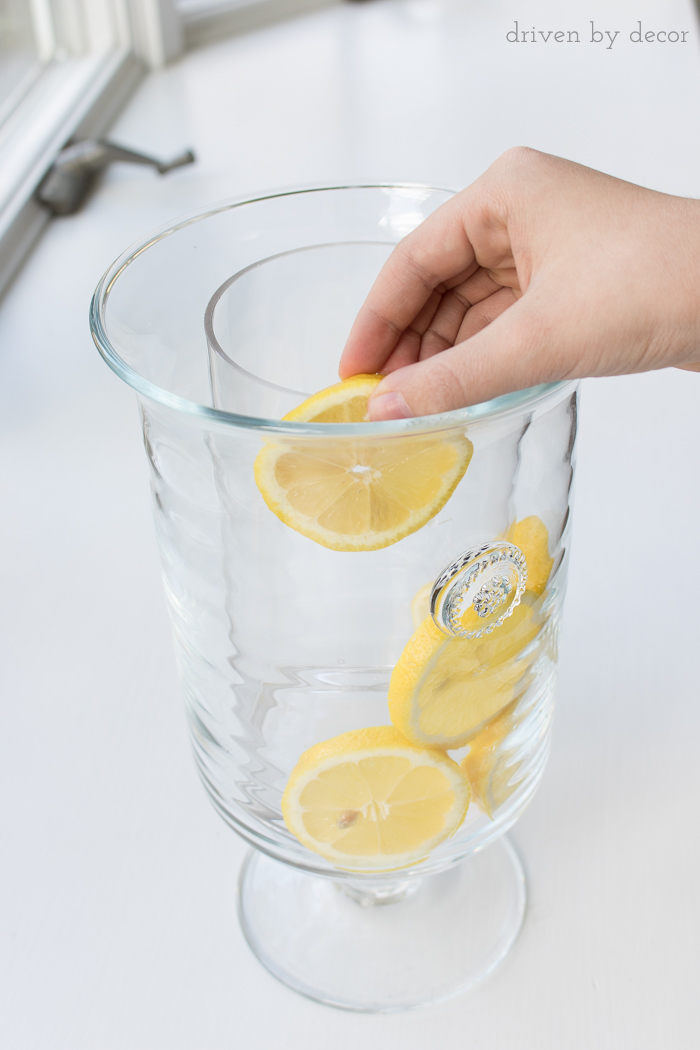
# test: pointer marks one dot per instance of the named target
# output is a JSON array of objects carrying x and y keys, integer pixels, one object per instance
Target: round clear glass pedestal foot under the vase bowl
[{"x": 383, "y": 948}]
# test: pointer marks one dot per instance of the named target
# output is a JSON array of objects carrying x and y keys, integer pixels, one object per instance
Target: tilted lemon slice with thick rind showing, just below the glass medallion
[{"x": 442, "y": 691}]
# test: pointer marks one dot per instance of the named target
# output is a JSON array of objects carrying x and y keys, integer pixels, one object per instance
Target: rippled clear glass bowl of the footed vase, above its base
[{"x": 222, "y": 325}]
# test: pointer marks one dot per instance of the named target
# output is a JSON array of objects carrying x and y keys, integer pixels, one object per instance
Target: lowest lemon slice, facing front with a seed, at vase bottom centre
[{"x": 371, "y": 802}]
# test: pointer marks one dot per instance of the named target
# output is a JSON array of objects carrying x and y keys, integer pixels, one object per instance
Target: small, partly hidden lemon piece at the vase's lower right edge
[{"x": 493, "y": 779}]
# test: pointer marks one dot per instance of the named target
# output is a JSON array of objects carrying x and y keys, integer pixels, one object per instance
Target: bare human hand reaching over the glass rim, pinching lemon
[{"x": 542, "y": 270}]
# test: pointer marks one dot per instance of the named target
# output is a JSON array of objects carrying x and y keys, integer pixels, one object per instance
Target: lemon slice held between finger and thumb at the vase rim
[{"x": 357, "y": 494}]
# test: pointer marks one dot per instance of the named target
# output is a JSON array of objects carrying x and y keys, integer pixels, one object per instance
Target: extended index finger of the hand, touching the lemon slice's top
[{"x": 438, "y": 251}]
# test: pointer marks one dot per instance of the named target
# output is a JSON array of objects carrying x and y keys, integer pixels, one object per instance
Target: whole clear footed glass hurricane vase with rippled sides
[{"x": 223, "y": 324}]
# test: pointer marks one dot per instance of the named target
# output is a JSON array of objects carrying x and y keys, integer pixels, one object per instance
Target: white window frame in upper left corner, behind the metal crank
[{"x": 94, "y": 54}]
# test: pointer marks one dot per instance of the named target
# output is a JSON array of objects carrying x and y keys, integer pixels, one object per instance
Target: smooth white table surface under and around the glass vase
[{"x": 118, "y": 927}]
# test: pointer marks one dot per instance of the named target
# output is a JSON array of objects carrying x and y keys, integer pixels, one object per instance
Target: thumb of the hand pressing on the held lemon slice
[{"x": 512, "y": 353}]
